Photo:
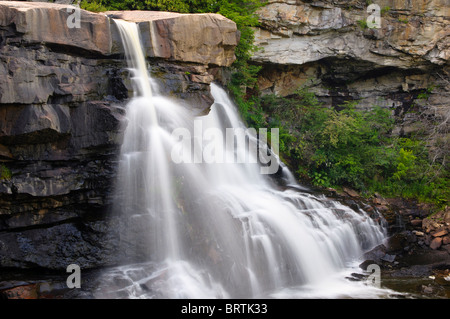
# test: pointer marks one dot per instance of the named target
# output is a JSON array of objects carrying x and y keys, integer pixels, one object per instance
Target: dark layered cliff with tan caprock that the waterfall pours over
[{"x": 62, "y": 97}]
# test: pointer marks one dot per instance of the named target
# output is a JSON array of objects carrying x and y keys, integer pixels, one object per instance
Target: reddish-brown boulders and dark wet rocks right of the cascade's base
[{"x": 415, "y": 257}]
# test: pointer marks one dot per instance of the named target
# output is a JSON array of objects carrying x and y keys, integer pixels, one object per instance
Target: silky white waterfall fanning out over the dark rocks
[{"x": 212, "y": 230}]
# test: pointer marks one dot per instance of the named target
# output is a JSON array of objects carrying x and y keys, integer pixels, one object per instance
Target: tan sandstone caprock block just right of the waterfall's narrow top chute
[{"x": 206, "y": 38}]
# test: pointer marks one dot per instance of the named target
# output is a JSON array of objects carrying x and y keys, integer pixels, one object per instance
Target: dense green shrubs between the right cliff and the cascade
[{"x": 349, "y": 147}]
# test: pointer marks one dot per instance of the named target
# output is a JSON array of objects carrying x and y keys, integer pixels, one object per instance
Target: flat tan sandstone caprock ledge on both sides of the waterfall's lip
[{"x": 207, "y": 39}]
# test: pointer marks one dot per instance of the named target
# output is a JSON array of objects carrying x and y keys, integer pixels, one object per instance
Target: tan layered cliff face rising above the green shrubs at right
[{"x": 326, "y": 46}]
